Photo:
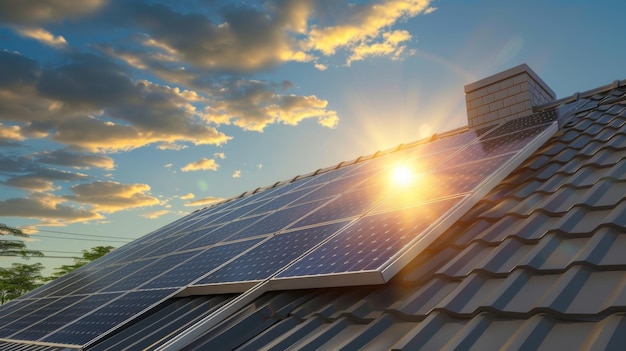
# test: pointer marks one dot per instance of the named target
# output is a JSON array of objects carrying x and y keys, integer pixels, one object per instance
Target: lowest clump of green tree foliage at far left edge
[{"x": 19, "y": 279}]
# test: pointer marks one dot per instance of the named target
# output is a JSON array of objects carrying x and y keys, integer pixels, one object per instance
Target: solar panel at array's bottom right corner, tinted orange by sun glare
[{"x": 369, "y": 242}]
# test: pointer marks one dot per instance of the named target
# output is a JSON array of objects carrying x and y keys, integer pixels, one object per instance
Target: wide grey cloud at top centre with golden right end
[{"x": 248, "y": 38}]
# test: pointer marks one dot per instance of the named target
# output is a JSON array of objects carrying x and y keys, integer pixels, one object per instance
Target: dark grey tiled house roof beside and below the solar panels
[{"x": 537, "y": 263}]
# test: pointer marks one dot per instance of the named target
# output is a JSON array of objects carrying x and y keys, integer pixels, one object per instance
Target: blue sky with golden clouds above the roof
[{"x": 120, "y": 116}]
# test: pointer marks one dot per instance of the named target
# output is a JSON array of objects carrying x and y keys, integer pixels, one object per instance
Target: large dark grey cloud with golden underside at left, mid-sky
[{"x": 91, "y": 103}]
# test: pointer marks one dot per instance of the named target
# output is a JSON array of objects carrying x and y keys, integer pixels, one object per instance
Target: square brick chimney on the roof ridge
[{"x": 505, "y": 96}]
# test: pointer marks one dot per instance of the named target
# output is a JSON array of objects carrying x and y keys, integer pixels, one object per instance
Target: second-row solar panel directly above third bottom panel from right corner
[{"x": 277, "y": 220}]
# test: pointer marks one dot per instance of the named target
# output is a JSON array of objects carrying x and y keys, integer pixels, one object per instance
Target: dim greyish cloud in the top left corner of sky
[{"x": 37, "y": 11}]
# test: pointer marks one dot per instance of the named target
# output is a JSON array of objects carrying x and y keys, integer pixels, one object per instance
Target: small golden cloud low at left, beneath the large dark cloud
[{"x": 112, "y": 196}]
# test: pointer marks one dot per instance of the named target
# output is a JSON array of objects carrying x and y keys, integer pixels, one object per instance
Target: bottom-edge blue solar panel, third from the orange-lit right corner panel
[{"x": 200, "y": 265}]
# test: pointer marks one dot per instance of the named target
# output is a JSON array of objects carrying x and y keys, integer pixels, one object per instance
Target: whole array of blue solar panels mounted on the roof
[{"x": 344, "y": 226}]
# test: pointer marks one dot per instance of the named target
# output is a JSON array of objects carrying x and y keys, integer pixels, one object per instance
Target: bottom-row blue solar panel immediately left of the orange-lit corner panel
[{"x": 272, "y": 255}]
